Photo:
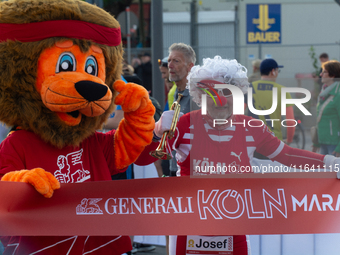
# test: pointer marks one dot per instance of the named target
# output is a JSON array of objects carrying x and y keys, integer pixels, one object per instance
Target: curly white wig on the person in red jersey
[{"x": 218, "y": 69}]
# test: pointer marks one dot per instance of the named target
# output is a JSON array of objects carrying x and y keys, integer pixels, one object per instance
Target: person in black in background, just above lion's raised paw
[{"x": 144, "y": 71}]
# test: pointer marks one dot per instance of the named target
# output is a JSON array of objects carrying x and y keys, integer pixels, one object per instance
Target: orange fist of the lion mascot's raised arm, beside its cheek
[{"x": 131, "y": 96}]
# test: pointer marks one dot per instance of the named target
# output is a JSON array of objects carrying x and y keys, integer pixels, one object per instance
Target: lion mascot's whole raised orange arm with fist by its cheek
[{"x": 135, "y": 131}]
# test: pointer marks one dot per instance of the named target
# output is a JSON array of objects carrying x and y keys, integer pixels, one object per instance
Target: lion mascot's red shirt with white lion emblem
[{"x": 93, "y": 160}]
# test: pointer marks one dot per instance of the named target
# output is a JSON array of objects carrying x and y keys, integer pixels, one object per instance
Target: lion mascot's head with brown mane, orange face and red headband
[{"x": 59, "y": 60}]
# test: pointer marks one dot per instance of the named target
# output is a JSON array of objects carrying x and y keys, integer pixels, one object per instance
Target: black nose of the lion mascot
[{"x": 90, "y": 90}]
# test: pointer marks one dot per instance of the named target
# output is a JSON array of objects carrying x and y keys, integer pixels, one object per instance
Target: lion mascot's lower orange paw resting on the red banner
[{"x": 44, "y": 182}]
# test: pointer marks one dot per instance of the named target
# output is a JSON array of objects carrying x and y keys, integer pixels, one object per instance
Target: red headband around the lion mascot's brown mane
[{"x": 32, "y": 32}]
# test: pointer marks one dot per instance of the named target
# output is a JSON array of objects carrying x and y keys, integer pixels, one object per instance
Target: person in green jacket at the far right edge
[{"x": 328, "y": 110}]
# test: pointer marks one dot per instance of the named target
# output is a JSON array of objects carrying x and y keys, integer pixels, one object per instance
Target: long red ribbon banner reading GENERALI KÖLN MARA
[{"x": 184, "y": 206}]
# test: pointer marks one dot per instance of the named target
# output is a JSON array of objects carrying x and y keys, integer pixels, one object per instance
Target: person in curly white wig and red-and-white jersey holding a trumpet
[{"x": 201, "y": 142}]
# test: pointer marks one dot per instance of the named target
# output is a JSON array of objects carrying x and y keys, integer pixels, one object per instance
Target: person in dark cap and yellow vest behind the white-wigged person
[{"x": 262, "y": 100}]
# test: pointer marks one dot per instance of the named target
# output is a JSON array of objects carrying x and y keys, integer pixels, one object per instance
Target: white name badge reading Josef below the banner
[{"x": 209, "y": 245}]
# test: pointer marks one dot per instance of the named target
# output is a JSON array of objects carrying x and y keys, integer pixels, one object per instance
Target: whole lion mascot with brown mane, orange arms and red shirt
[{"x": 60, "y": 69}]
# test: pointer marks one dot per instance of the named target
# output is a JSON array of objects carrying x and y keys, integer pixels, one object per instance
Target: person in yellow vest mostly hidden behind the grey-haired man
[{"x": 169, "y": 85}]
